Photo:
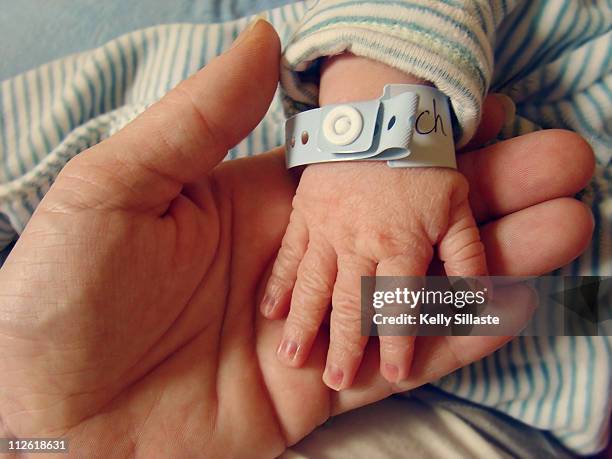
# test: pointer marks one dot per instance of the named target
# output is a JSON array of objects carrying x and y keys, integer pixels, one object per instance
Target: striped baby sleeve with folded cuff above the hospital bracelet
[{"x": 448, "y": 42}]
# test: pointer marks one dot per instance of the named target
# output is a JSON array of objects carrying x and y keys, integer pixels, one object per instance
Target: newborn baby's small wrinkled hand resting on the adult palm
[{"x": 356, "y": 219}]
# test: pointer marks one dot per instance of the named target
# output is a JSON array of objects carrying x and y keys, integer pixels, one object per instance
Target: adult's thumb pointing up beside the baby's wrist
[{"x": 184, "y": 135}]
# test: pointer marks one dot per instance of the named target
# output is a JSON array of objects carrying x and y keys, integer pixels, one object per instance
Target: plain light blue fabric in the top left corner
[{"x": 63, "y": 27}]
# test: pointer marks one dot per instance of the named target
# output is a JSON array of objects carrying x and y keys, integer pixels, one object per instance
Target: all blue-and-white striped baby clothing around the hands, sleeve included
[{"x": 553, "y": 57}]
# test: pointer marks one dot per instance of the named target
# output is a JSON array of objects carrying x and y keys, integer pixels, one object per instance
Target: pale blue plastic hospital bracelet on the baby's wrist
[{"x": 408, "y": 126}]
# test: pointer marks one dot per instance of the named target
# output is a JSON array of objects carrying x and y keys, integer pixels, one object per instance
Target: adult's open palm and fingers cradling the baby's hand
[{"x": 128, "y": 318}]
